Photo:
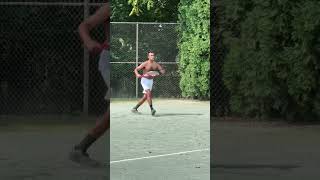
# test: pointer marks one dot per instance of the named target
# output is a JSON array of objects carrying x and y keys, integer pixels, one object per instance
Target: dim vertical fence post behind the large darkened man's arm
[{"x": 85, "y": 65}]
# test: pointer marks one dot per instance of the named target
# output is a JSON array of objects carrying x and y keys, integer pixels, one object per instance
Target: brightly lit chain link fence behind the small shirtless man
[{"x": 130, "y": 43}]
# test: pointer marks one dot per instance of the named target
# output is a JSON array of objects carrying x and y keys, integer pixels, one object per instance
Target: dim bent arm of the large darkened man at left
[{"x": 100, "y": 16}]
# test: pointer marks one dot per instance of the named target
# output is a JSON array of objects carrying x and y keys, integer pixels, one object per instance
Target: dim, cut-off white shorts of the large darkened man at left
[{"x": 104, "y": 68}]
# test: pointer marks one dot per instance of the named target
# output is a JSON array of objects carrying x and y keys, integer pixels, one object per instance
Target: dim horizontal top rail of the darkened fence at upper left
[{"x": 35, "y": 3}]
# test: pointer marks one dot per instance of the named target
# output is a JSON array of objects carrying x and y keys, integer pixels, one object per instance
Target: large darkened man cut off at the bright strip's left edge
[{"x": 102, "y": 16}]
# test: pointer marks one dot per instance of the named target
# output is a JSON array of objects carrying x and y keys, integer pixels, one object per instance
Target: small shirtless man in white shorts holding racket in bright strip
[{"x": 147, "y": 80}]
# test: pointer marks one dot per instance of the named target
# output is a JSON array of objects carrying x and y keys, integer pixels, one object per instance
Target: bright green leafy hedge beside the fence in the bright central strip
[{"x": 194, "y": 48}]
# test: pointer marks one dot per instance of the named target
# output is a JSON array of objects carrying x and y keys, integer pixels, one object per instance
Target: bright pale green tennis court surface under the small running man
[{"x": 173, "y": 145}]
